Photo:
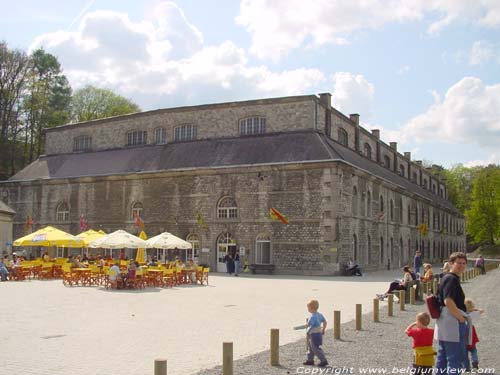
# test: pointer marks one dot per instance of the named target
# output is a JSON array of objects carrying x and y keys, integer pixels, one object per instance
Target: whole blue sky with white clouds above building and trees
[{"x": 426, "y": 73}]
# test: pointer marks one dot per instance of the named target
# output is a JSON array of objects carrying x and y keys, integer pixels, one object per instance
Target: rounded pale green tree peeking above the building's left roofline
[{"x": 91, "y": 103}]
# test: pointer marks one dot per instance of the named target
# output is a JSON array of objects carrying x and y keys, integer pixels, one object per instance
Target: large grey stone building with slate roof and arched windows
[{"x": 211, "y": 173}]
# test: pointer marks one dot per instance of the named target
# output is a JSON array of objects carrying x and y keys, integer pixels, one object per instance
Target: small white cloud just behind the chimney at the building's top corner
[{"x": 352, "y": 93}]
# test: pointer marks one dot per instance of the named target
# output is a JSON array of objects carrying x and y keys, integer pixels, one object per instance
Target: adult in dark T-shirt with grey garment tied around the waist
[{"x": 451, "y": 327}]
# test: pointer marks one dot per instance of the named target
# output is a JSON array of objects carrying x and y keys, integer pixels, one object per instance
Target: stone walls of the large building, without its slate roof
[{"x": 337, "y": 210}]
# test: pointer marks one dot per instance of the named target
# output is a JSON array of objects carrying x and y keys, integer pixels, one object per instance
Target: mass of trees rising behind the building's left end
[{"x": 35, "y": 95}]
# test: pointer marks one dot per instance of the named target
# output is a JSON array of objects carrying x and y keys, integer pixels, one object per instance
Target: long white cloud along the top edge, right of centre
[{"x": 278, "y": 26}]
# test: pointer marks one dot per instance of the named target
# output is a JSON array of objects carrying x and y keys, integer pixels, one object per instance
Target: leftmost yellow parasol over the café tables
[{"x": 49, "y": 236}]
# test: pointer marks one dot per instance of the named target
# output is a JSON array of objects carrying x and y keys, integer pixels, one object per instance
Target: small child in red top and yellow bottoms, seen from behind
[{"x": 422, "y": 343}]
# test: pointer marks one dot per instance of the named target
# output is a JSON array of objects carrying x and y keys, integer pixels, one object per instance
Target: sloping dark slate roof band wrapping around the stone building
[{"x": 276, "y": 148}]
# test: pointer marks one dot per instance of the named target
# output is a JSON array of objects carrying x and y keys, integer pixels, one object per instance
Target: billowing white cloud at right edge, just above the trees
[{"x": 468, "y": 114}]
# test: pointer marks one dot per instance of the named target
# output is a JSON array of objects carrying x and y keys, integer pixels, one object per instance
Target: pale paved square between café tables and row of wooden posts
[{"x": 49, "y": 329}]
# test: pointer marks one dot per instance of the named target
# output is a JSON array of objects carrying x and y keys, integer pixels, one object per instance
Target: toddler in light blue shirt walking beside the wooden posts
[{"x": 316, "y": 326}]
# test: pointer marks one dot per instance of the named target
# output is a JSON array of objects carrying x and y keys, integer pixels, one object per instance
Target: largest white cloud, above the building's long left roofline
[{"x": 163, "y": 61}]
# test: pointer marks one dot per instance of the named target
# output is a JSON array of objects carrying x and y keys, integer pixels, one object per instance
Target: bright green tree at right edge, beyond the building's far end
[{"x": 483, "y": 216}]
